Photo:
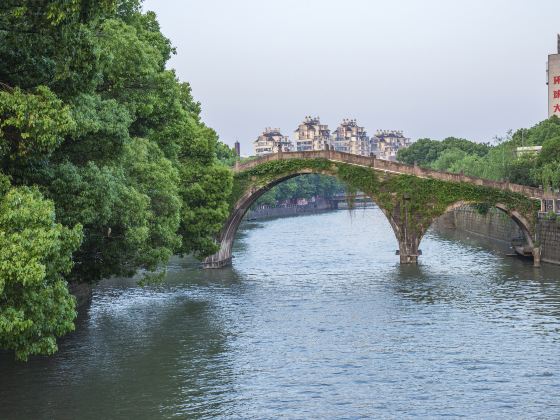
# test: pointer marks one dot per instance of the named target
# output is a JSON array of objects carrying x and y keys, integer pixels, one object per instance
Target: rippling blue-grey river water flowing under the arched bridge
[{"x": 316, "y": 319}]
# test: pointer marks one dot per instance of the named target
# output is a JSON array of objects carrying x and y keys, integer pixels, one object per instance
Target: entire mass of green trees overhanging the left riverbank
[{"x": 103, "y": 155}]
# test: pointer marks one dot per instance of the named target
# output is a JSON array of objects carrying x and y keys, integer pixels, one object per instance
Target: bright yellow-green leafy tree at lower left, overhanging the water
[{"x": 35, "y": 253}]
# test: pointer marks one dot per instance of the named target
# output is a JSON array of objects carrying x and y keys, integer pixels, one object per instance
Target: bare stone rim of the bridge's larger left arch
[{"x": 227, "y": 236}]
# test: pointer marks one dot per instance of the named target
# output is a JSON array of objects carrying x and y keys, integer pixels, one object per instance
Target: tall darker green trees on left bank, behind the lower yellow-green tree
[{"x": 124, "y": 129}]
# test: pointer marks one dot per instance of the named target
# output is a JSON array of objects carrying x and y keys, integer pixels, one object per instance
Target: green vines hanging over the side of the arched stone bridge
[{"x": 426, "y": 199}]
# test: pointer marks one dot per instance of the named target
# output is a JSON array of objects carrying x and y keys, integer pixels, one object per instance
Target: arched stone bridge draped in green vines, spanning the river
[{"x": 411, "y": 197}]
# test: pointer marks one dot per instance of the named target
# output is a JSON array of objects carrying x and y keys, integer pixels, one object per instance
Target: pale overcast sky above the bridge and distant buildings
[{"x": 433, "y": 68}]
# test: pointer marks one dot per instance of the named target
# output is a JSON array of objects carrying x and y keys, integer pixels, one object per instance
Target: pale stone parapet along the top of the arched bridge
[{"x": 398, "y": 168}]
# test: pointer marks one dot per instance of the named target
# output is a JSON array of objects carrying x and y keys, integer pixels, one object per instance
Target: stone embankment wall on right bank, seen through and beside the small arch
[{"x": 498, "y": 226}]
